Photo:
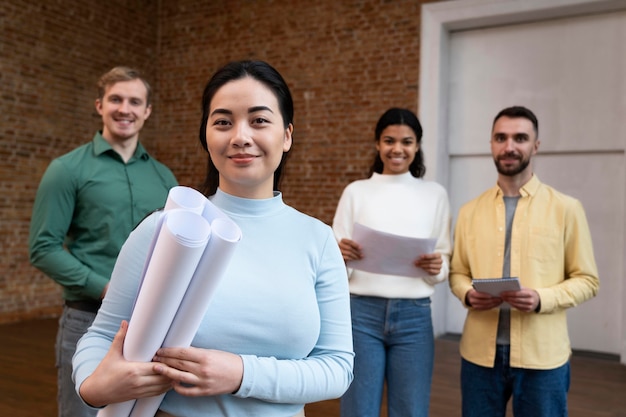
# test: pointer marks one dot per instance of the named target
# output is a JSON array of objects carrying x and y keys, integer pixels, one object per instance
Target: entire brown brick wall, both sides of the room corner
[{"x": 345, "y": 61}]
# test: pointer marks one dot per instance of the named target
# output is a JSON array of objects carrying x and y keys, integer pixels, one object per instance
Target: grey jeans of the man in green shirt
[{"x": 72, "y": 325}]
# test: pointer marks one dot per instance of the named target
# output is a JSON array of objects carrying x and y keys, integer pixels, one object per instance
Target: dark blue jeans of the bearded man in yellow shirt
[{"x": 536, "y": 393}]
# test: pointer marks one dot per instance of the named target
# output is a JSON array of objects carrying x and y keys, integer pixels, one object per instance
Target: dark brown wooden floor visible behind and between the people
[{"x": 28, "y": 378}]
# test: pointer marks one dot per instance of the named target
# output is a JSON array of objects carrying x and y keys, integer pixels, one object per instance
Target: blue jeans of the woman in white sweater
[{"x": 393, "y": 341}]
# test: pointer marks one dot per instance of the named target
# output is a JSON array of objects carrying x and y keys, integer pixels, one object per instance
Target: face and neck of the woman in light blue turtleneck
[{"x": 246, "y": 137}]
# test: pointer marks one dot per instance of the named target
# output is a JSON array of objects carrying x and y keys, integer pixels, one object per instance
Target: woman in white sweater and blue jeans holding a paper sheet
[{"x": 391, "y": 315}]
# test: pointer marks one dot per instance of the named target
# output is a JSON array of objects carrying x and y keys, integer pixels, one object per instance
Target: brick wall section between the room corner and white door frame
[{"x": 346, "y": 62}]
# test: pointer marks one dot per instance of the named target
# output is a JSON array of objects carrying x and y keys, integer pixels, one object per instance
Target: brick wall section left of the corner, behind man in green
[{"x": 51, "y": 55}]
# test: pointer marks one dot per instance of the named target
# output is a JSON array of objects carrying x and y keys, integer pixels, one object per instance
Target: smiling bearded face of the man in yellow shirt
[{"x": 513, "y": 144}]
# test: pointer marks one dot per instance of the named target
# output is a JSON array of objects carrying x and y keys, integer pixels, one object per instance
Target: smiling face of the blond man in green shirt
[{"x": 124, "y": 109}]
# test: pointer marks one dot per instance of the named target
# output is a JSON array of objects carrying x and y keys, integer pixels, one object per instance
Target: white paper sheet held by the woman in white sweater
[{"x": 389, "y": 254}]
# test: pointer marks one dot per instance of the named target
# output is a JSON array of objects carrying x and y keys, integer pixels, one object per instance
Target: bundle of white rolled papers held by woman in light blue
[{"x": 177, "y": 285}]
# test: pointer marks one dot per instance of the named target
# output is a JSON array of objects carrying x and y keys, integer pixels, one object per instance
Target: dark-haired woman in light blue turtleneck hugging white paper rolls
[{"x": 277, "y": 332}]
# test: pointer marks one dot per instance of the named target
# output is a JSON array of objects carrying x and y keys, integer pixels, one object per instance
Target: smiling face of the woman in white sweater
[{"x": 397, "y": 146}]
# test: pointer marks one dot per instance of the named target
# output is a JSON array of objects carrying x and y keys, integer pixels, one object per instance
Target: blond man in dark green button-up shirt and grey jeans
[{"x": 88, "y": 202}]
